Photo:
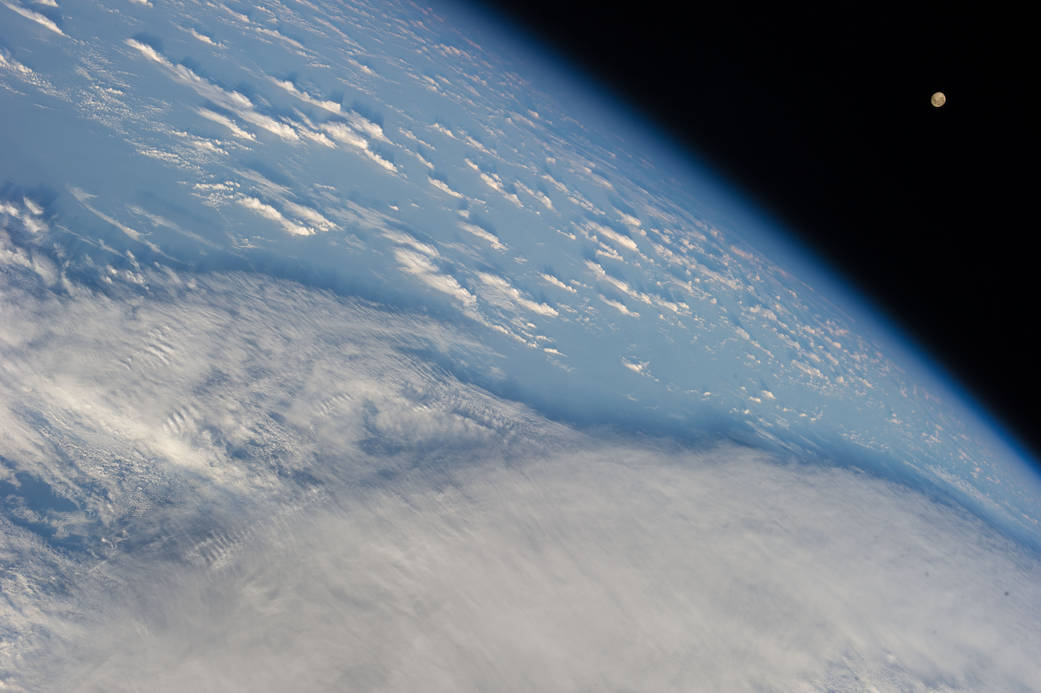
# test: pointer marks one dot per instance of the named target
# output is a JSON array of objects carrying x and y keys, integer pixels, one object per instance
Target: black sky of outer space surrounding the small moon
[{"x": 823, "y": 114}]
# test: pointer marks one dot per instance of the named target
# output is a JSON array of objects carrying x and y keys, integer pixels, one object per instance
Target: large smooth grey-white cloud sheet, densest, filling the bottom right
[{"x": 613, "y": 569}]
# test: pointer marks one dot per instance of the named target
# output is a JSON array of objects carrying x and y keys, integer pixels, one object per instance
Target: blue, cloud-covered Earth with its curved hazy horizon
[{"x": 360, "y": 346}]
